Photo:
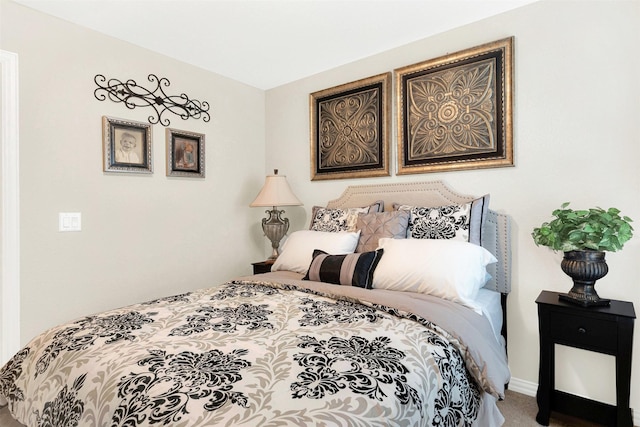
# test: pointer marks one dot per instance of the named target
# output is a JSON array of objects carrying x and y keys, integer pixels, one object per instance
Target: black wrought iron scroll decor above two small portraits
[{"x": 133, "y": 95}]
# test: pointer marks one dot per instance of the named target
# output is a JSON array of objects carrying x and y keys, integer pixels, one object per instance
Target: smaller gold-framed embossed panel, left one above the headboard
[{"x": 350, "y": 129}]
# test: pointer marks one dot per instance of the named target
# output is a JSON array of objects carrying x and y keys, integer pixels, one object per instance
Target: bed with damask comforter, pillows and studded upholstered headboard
[{"x": 344, "y": 331}]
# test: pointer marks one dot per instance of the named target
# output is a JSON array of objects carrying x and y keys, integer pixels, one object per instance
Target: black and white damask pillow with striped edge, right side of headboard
[{"x": 459, "y": 222}]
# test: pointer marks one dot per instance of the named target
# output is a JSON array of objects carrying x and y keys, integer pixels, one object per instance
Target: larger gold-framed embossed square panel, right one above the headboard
[{"x": 455, "y": 111}]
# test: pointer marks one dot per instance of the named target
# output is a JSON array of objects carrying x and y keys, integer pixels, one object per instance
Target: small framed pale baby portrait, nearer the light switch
[{"x": 126, "y": 146}]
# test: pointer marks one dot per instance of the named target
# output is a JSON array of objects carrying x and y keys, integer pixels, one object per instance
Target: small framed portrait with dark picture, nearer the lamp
[{"x": 185, "y": 153}]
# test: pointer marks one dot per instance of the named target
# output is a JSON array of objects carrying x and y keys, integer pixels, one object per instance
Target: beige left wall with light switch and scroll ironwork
[{"x": 143, "y": 236}]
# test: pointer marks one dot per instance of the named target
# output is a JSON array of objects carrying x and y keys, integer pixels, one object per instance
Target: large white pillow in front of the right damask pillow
[{"x": 449, "y": 269}]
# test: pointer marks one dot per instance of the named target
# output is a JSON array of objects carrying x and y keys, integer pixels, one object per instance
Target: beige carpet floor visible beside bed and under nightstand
[{"x": 518, "y": 409}]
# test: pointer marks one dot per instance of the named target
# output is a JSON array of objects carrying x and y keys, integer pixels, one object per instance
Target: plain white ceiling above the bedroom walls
[{"x": 268, "y": 43}]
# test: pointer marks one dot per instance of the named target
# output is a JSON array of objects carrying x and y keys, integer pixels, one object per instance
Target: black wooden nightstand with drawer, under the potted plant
[{"x": 607, "y": 330}]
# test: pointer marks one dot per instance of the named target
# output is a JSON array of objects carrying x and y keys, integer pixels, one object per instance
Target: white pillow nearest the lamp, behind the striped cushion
[{"x": 297, "y": 250}]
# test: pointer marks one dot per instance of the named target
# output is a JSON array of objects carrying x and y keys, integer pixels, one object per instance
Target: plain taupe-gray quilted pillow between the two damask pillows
[{"x": 374, "y": 226}]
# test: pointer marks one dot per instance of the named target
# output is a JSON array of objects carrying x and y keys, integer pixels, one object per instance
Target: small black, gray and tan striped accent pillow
[{"x": 350, "y": 269}]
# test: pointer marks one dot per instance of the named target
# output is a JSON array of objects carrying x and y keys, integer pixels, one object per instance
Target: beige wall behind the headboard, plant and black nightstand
[{"x": 576, "y": 127}]
